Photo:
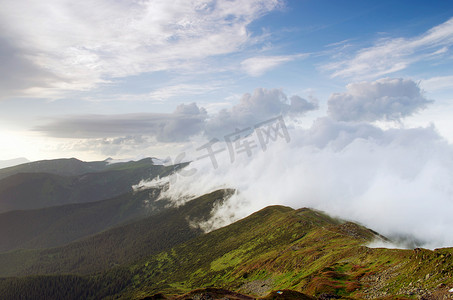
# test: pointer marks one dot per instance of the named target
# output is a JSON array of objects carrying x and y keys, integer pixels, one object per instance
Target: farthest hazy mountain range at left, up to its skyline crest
[{"x": 64, "y": 181}]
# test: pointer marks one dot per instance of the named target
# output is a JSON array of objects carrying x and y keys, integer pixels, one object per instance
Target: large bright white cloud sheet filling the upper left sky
[{"x": 85, "y": 43}]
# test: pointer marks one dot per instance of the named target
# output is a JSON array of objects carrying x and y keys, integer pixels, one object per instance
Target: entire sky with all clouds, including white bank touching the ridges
[{"x": 343, "y": 106}]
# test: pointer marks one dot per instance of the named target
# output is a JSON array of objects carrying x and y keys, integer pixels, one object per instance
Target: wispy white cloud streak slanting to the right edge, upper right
[{"x": 394, "y": 54}]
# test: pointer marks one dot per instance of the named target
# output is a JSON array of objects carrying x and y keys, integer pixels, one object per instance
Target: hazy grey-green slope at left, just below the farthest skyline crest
[{"x": 24, "y": 191}]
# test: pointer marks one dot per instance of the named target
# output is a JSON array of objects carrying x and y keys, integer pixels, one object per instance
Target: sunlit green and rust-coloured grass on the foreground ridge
[{"x": 302, "y": 250}]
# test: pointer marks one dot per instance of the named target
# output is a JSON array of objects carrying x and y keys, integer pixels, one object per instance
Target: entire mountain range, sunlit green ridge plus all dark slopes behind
[{"x": 76, "y": 230}]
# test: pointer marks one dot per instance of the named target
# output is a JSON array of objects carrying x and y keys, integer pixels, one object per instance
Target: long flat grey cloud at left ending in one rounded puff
[{"x": 185, "y": 121}]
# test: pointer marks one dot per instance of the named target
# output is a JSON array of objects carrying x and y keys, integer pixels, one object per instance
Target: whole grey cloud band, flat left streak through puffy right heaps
[{"x": 186, "y": 121}]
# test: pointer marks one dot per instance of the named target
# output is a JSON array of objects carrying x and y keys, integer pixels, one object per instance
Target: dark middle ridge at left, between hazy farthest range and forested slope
[{"x": 56, "y": 226}]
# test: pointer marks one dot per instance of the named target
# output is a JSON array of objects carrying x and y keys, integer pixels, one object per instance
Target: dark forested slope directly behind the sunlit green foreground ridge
[{"x": 120, "y": 245}]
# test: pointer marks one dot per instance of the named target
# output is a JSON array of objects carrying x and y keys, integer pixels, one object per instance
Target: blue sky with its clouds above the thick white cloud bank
[{"x": 79, "y": 79}]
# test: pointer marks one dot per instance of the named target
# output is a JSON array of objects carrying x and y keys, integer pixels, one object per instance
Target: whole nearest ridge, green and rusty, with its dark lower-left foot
[{"x": 277, "y": 248}]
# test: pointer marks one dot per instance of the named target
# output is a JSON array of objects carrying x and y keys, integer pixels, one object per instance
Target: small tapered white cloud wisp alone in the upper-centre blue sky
[{"x": 257, "y": 66}]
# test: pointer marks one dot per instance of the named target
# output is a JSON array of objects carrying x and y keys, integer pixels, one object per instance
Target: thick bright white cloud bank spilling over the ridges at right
[{"x": 396, "y": 181}]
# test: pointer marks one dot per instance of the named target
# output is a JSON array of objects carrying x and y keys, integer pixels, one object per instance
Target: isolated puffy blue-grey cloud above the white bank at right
[{"x": 384, "y": 99}]
